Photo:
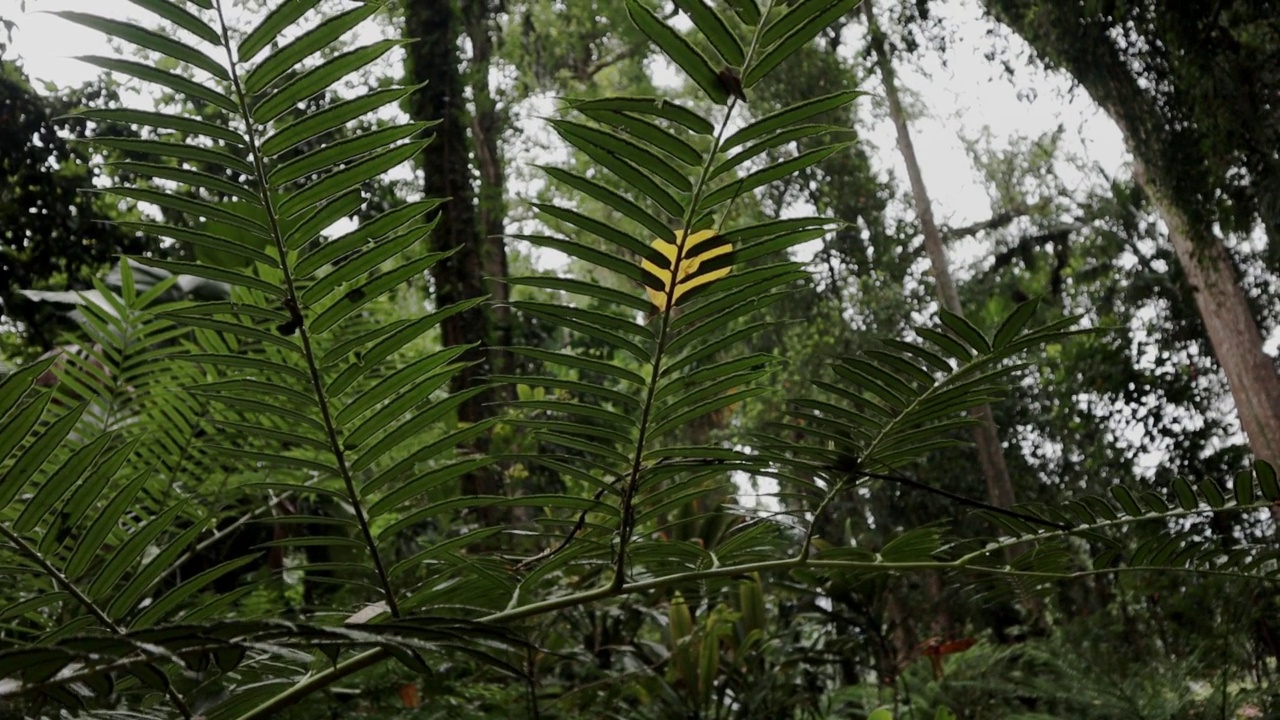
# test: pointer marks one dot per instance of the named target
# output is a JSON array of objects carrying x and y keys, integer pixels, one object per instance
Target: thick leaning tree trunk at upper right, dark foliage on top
[{"x": 1173, "y": 170}]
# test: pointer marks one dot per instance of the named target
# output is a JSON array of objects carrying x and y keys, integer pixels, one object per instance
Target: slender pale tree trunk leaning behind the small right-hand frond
[{"x": 991, "y": 455}]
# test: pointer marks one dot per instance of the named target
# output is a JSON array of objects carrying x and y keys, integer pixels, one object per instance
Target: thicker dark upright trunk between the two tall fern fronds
[{"x": 433, "y": 60}]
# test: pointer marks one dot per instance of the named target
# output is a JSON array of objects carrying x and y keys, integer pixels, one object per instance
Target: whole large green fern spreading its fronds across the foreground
[{"x": 221, "y": 508}]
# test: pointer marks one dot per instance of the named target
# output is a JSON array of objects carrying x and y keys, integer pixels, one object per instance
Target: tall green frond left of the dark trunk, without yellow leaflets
[{"x": 292, "y": 286}]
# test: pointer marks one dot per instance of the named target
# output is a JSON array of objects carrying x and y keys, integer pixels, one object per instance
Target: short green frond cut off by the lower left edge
[{"x": 63, "y": 522}]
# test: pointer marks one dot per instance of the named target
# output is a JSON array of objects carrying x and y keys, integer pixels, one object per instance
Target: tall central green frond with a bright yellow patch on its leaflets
[{"x": 697, "y": 289}]
